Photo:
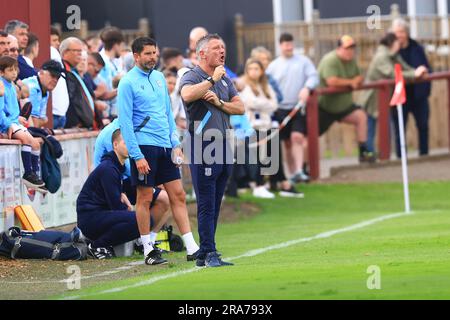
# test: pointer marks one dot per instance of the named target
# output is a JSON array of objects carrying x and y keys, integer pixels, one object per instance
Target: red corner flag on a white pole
[{"x": 398, "y": 99}]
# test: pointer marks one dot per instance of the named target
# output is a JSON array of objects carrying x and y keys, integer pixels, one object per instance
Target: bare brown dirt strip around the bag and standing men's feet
[{"x": 41, "y": 279}]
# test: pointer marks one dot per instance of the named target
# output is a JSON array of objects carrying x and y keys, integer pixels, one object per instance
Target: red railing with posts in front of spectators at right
[{"x": 384, "y": 88}]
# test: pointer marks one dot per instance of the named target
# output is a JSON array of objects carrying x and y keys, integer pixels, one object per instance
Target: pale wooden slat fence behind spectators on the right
[{"x": 320, "y": 36}]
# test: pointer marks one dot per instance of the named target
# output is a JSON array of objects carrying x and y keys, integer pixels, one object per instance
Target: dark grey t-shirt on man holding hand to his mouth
[{"x": 202, "y": 115}]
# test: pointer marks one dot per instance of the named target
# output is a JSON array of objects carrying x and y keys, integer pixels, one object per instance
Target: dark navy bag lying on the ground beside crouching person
[{"x": 45, "y": 244}]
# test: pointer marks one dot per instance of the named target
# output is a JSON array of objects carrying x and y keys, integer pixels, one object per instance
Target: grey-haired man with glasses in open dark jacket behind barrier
[{"x": 82, "y": 107}]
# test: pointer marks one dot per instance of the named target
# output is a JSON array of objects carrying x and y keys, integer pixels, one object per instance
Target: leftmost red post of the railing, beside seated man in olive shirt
[{"x": 312, "y": 119}]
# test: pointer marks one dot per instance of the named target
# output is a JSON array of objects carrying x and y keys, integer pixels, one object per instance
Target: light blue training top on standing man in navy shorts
[{"x": 145, "y": 112}]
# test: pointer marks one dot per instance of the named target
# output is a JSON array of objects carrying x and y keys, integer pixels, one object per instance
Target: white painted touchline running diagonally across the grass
[{"x": 251, "y": 253}]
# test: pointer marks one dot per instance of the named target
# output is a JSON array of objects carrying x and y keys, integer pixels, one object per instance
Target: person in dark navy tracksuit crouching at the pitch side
[{"x": 104, "y": 212}]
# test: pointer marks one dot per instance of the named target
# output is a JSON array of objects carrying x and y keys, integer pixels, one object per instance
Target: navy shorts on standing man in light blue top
[{"x": 163, "y": 170}]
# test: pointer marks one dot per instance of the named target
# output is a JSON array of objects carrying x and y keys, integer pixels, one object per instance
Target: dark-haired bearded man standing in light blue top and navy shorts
[{"x": 149, "y": 130}]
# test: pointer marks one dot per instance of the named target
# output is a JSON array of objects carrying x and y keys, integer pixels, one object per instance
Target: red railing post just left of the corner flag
[{"x": 384, "y": 123}]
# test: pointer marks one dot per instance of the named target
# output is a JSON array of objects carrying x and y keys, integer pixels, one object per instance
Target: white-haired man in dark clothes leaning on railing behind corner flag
[{"x": 416, "y": 95}]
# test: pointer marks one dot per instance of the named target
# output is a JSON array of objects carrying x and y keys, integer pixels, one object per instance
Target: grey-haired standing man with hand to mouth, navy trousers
[{"x": 209, "y": 98}]
